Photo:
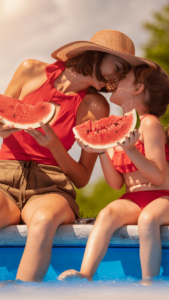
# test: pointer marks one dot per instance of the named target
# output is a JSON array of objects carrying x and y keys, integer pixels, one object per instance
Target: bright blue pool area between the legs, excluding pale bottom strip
[{"x": 119, "y": 262}]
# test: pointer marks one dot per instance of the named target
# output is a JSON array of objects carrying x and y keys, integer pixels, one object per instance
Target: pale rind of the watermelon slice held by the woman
[{"x": 45, "y": 120}]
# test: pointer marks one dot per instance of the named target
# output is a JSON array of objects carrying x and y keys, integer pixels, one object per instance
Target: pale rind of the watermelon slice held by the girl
[{"x": 135, "y": 125}]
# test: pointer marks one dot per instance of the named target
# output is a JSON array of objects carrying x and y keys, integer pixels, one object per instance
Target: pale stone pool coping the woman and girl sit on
[{"x": 77, "y": 235}]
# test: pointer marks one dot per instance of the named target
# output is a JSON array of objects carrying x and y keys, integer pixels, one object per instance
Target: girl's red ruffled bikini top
[{"x": 123, "y": 163}]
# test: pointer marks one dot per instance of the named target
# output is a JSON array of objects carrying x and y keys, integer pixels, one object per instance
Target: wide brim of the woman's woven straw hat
[{"x": 76, "y": 48}]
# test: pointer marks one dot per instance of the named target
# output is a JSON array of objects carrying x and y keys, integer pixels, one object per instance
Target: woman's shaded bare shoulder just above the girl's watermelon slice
[{"x": 97, "y": 104}]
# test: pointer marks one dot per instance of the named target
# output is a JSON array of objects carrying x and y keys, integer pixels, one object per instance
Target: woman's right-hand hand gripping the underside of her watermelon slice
[{"x": 47, "y": 140}]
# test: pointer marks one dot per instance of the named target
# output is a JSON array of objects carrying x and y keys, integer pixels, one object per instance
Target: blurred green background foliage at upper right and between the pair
[{"x": 93, "y": 198}]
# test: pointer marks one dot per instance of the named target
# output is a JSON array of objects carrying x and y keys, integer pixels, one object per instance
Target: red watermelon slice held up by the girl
[{"x": 106, "y": 132}]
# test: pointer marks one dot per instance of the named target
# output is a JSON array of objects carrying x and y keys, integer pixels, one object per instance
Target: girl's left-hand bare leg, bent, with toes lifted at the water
[{"x": 113, "y": 216}]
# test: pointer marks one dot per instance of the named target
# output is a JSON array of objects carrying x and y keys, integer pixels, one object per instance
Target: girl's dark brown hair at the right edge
[{"x": 156, "y": 82}]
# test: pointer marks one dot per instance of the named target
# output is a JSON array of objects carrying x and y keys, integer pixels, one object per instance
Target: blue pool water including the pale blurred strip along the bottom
[{"x": 119, "y": 275}]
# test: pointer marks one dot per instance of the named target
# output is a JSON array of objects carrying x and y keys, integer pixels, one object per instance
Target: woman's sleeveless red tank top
[{"x": 22, "y": 146}]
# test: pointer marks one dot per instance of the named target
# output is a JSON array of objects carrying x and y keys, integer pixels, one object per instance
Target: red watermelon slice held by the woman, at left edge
[{"x": 21, "y": 115}]
